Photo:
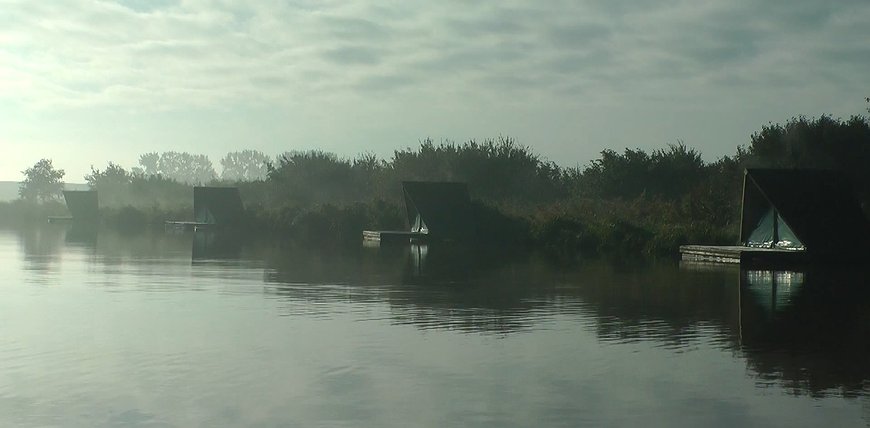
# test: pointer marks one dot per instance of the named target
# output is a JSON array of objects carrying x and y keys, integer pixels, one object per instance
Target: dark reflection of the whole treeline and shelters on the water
[{"x": 805, "y": 330}]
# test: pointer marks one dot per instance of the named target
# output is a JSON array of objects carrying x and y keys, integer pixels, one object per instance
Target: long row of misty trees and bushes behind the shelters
[{"x": 622, "y": 202}]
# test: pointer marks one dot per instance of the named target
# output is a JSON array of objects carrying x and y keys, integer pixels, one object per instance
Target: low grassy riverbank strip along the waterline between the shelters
[{"x": 575, "y": 228}]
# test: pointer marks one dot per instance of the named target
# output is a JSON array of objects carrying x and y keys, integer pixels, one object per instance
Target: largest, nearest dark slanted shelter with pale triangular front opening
[{"x": 812, "y": 210}]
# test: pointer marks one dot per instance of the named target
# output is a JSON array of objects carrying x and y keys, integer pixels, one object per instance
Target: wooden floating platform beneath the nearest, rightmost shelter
[{"x": 741, "y": 254}]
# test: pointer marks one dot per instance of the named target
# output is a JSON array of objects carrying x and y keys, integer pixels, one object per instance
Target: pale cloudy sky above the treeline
[{"x": 88, "y": 82}]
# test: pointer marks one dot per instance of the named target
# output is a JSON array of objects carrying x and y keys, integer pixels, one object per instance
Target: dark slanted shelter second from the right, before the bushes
[{"x": 440, "y": 209}]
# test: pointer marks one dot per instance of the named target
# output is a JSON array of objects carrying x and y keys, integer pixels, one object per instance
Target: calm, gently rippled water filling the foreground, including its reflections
[{"x": 168, "y": 330}]
